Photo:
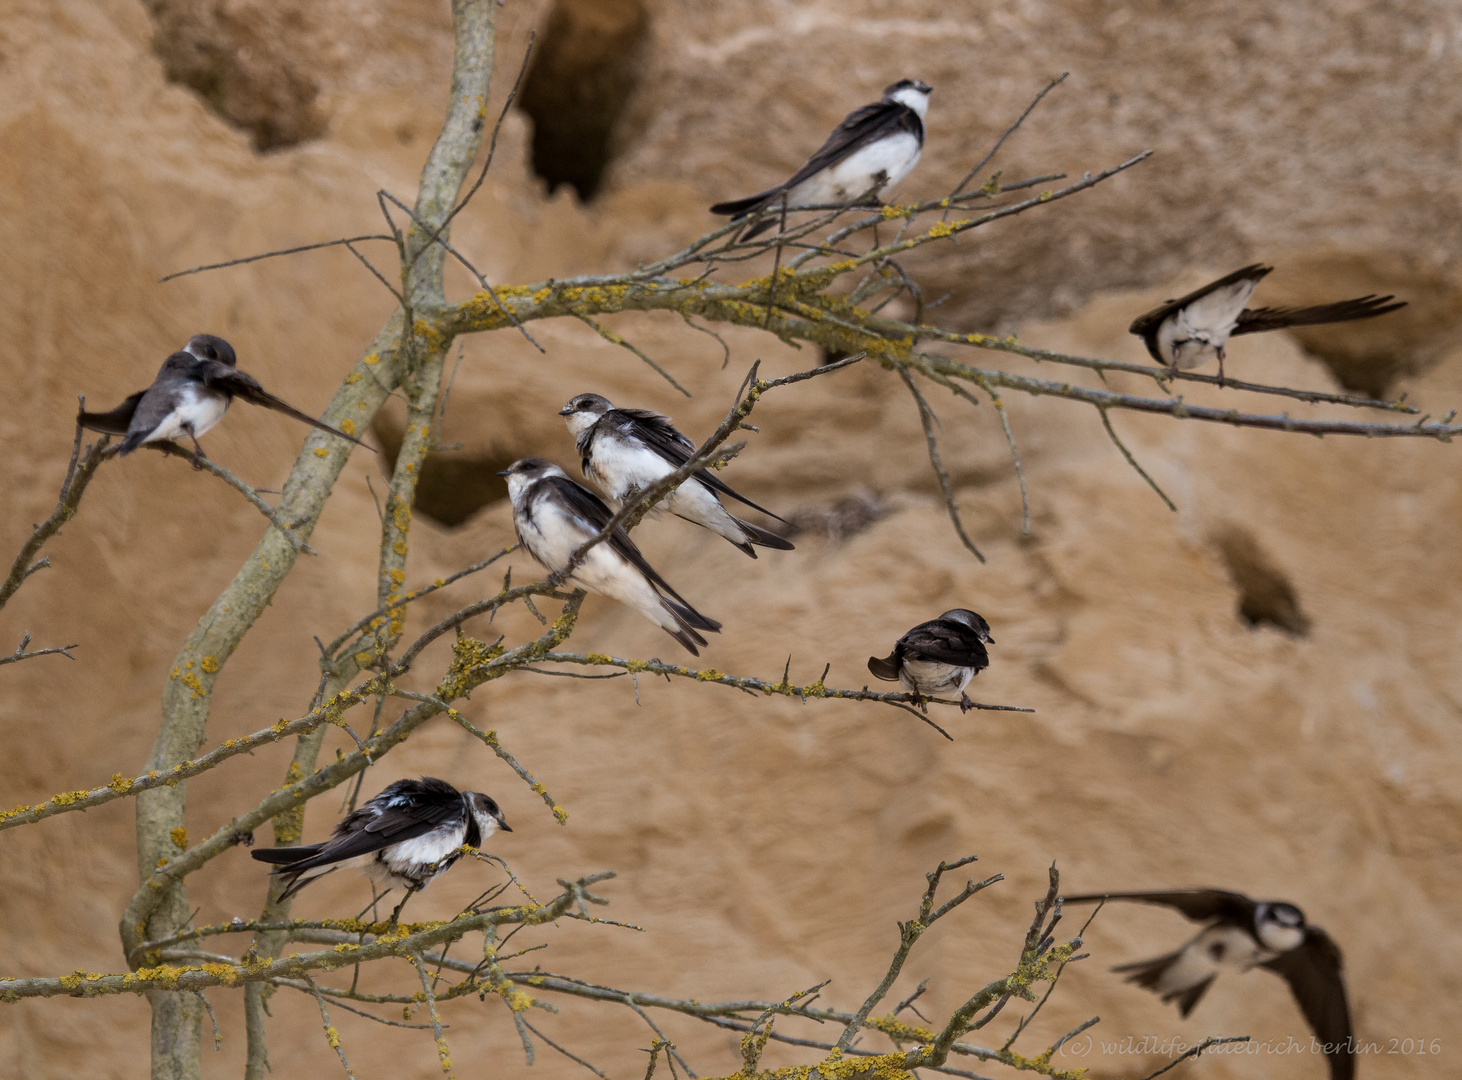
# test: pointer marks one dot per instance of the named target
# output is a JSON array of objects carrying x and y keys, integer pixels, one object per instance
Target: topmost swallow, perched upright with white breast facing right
[{"x": 869, "y": 153}]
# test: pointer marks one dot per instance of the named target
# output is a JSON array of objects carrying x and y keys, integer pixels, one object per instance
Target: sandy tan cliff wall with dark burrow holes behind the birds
[{"x": 768, "y": 847}]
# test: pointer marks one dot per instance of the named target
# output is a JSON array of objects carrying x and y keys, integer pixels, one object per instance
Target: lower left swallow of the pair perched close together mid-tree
[{"x": 555, "y": 517}]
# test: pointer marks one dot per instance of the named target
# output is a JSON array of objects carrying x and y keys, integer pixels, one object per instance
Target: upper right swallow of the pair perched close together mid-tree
[{"x": 626, "y": 451}]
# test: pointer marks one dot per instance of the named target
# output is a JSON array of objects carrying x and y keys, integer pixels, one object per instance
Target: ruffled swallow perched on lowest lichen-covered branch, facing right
[{"x": 404, "y": 837}]
